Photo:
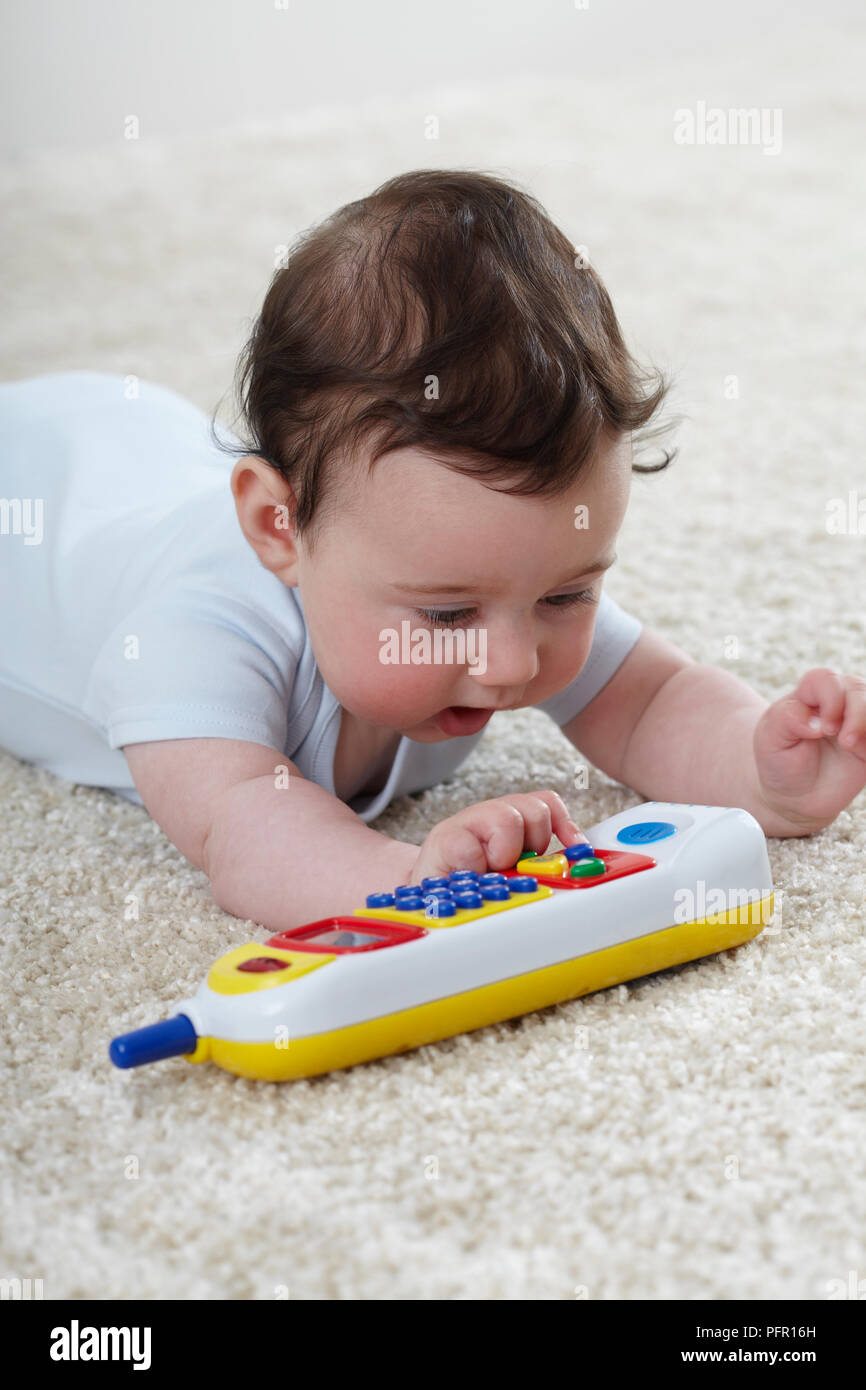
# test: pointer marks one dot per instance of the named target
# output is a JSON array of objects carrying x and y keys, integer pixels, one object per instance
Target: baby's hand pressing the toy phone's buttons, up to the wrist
[{"x": 493, "y": 835}]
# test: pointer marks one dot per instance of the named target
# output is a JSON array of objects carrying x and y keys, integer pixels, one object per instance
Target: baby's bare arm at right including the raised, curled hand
[{"x": 676, "y": 730}]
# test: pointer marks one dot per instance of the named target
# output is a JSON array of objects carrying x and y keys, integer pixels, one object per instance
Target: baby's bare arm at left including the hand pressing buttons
[{"x": 281, "y": 851}]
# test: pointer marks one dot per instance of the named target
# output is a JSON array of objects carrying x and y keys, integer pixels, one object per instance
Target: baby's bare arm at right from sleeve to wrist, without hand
[{"x": 676, "y": 730}]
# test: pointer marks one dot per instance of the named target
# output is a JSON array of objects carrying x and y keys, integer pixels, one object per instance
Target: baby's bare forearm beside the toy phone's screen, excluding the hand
[{"x": 279, "y": 850}]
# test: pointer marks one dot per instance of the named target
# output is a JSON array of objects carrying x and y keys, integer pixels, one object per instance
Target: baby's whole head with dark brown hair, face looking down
[{"x": 440, "y": 414}]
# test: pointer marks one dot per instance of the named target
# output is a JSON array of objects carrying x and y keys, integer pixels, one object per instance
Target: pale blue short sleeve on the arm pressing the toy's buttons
[{"x": 190, "y": 665}]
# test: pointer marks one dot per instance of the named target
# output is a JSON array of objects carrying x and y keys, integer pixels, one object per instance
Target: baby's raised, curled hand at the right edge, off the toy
[{"x": 811, "y": 749}]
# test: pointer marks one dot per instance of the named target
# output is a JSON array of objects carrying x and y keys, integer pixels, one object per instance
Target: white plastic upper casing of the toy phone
[{"x": 714, "y": 862}]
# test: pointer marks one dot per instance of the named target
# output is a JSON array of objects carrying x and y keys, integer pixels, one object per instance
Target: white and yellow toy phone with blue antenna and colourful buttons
[{"x": 657, "y": 886}]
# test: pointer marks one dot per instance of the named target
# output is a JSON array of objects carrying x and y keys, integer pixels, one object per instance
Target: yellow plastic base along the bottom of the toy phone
[{"x": 491, "y": 1004}]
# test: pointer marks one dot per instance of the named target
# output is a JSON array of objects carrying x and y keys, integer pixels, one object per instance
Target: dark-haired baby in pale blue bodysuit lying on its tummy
[{"x": 440, "y": 411}]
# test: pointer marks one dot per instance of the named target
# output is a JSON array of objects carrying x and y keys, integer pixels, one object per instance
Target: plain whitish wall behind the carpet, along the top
[{"x": 72, "y": 72}]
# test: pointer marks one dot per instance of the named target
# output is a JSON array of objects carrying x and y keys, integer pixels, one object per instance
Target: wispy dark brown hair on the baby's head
[{"x": 448, "y": 313}]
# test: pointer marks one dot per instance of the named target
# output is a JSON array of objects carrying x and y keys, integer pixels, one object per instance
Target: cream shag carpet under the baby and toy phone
[{"x": 707, "y": 1142}]
